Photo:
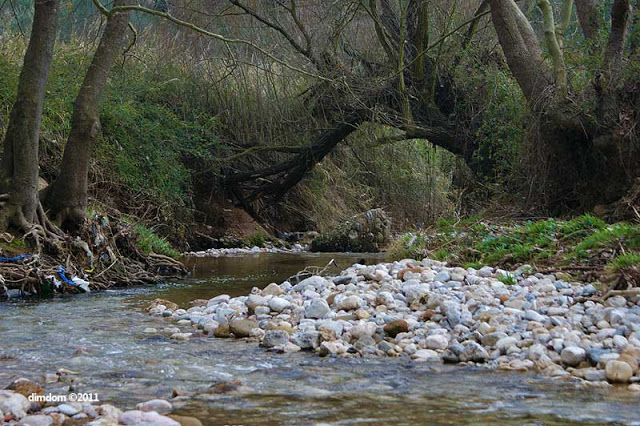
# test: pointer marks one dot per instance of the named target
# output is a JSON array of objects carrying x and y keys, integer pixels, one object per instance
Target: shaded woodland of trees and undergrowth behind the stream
[{"x": 177, "y": 113}]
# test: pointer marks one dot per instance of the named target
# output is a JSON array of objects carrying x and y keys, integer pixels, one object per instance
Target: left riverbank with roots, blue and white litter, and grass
[{"x": 111, "y": 250}]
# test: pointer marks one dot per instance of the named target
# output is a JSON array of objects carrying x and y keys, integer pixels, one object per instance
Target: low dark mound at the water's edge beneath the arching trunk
[{"x": 366, "y": 232}]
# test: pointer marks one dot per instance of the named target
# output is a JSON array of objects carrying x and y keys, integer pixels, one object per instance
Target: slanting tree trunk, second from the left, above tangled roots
[{"x": 67, "y": 197}]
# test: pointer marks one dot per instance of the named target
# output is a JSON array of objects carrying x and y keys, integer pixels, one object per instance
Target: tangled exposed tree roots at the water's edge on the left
[{"x": 104, "y": 254}]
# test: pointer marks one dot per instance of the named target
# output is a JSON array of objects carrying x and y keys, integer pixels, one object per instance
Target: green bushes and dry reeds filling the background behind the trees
[{"x": 178, "y": 114}]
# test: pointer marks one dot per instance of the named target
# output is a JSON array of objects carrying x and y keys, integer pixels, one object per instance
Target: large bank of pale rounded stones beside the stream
[{"x": 427, "y": 311}]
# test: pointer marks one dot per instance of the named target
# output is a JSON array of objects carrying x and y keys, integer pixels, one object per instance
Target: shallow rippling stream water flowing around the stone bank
[{"x": 100, "y": 336}]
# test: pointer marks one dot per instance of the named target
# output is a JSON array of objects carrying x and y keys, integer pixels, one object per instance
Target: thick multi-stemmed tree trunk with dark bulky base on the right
[{"x": 584, "y": 160}]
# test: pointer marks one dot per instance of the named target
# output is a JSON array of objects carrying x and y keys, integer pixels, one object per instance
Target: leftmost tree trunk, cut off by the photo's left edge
[{"x": 20, "y": 159}]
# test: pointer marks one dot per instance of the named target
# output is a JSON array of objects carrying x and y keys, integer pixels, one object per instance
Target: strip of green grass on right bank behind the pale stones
[{"x": 474, "y": 243}]
